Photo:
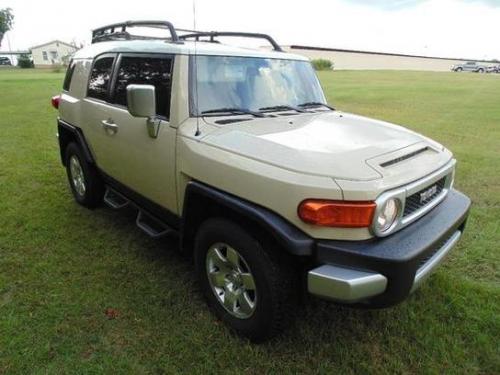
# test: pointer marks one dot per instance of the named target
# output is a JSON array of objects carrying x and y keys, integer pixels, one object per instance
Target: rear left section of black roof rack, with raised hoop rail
[{"x": 109, "y": 32}]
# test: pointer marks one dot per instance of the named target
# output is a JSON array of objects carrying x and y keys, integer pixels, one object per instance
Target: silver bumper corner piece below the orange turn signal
[{"x": 344, "y": 284}]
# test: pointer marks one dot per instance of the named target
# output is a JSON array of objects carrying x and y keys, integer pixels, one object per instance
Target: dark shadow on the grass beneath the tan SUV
[{"x": 313, "y": 319}]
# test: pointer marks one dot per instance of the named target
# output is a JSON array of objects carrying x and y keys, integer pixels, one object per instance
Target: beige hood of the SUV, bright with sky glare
[{"x": 333, "y": 144}]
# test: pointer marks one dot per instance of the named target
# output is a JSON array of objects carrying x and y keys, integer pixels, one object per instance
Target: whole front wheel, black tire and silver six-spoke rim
[{"x": 265, "y": 310}]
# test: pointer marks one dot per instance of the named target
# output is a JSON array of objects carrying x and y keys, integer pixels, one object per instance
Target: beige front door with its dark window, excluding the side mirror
[{"x": 142, "y": 163}]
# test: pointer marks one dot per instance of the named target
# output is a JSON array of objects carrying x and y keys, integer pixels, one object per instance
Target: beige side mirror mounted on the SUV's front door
[{"x": 141, "y": 102}]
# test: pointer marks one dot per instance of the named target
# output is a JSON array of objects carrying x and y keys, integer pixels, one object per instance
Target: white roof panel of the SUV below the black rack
[{"x": 184, "y": 48}]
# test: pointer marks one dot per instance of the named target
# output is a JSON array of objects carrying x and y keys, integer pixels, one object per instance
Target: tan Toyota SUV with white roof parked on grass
[{"x": 274, "y": 194}]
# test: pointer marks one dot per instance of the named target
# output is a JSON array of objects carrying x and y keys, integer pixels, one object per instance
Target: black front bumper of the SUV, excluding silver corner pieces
[{"x": 399, "y": 256}]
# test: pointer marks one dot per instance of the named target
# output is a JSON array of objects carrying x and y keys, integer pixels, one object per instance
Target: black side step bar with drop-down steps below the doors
[{"x": 153, "y": 227}]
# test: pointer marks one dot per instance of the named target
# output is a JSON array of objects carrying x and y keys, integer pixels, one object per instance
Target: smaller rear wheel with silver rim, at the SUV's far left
[{"x": 86, "y": 184}]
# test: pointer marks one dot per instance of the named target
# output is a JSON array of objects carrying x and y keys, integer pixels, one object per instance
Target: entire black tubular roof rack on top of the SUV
[{"x": 118, "y": 31}]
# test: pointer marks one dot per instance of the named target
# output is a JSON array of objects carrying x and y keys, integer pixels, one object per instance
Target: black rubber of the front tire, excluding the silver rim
[{"x": 275, "y": 296}]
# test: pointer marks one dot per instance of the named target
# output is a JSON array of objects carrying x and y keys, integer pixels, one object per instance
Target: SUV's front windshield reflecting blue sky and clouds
[{"x": 251, "y": 83}]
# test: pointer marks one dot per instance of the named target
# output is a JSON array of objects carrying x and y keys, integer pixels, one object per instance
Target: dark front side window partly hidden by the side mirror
[{"x": 156, "y": 71}]
